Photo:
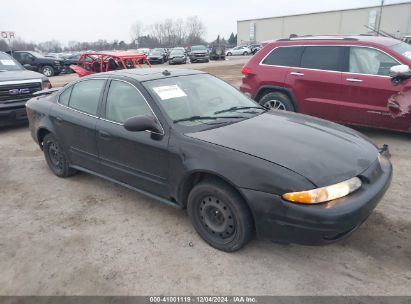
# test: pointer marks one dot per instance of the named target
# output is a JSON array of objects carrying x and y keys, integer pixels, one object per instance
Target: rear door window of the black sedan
[{"x": 85, "y": 95}]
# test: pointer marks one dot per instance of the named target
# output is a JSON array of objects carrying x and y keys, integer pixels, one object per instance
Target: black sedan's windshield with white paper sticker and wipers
[{"x": 202, "y": 99}]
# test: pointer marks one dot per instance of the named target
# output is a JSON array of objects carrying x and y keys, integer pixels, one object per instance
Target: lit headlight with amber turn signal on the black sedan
[{"x": 325, "y": 194}]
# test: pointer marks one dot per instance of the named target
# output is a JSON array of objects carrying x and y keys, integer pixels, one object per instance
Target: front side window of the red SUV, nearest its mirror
[{"x": 370, "y": 61}]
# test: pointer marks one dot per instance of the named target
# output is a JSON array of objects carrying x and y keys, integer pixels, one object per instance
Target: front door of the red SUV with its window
[{"x": 368, "y": 89}]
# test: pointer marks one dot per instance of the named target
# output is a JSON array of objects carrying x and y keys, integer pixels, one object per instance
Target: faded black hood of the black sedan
[{"x": 323, "y": 152}]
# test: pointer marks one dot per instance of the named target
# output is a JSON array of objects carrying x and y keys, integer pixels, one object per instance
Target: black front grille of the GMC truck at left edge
[{"x": 17, "y": 91}]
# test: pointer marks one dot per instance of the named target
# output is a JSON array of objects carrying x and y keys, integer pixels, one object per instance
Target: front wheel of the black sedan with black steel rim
[{"x": 220, "y": 215}]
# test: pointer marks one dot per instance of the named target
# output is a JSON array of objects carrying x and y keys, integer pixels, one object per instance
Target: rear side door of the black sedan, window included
[{"x": 75, "y": 118}]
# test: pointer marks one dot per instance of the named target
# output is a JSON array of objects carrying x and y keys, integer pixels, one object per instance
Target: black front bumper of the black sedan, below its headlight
[{"x": 282, "y": 221}]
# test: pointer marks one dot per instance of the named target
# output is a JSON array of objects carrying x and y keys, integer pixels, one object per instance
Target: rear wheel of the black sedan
[{"x": 55, "y": 157}]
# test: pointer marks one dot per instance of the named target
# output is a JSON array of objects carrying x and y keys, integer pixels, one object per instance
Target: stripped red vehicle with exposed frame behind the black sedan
[{"x": 90, "y": 63}]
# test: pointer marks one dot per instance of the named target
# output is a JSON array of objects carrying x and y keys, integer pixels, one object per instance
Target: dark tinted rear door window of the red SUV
[{"x": 322, "y": 58}]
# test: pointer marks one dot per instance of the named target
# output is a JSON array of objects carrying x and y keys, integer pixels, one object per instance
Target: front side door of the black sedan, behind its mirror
[{"x": 139, "y": 159}]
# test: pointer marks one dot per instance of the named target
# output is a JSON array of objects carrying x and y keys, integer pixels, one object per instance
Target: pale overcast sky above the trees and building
[{"x": 90, "y": 20}]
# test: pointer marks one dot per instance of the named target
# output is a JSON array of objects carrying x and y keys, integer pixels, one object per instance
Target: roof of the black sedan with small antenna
[{"x": 146, "y": 74}]
